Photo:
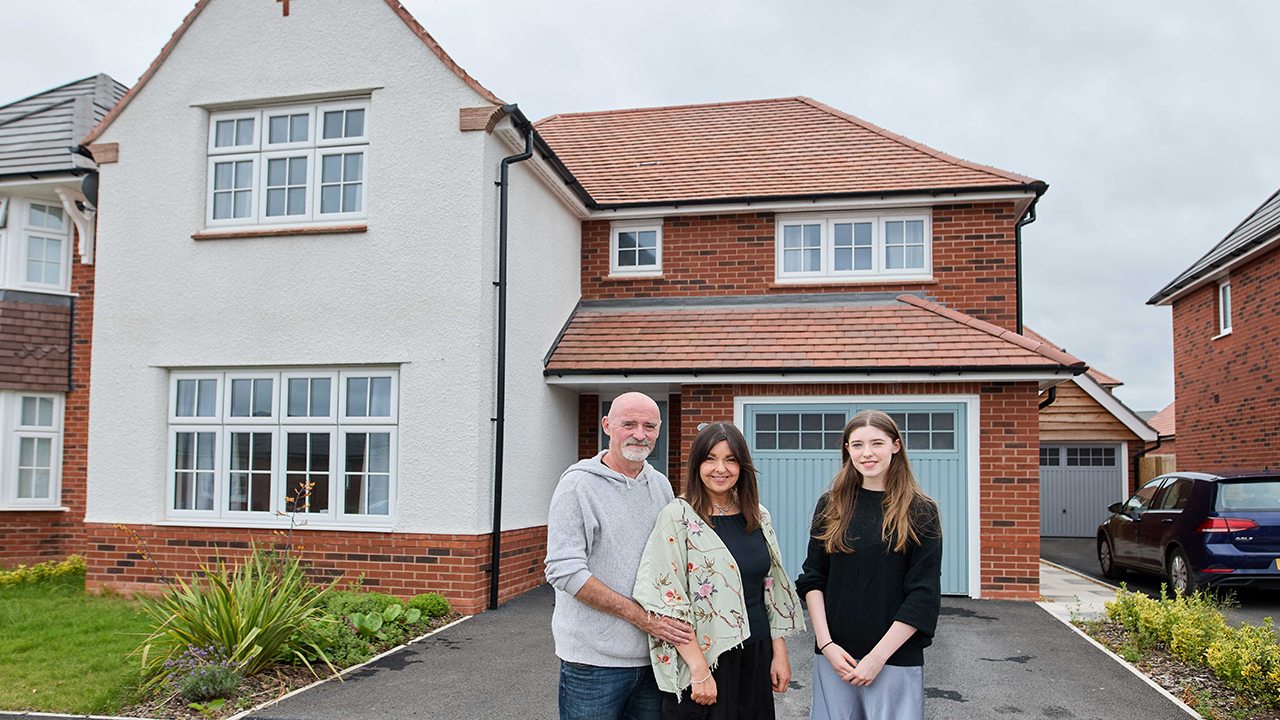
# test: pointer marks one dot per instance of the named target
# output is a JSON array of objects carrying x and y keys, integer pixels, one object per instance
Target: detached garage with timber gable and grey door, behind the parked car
[{"x": 1090, "y": 446}]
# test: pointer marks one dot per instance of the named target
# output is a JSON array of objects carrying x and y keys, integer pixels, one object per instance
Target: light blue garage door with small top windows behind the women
[{"x": 797, "y": 453}]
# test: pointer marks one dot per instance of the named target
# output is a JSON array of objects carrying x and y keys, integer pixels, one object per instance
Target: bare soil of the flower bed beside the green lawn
[{"x": 275, "y": 683}]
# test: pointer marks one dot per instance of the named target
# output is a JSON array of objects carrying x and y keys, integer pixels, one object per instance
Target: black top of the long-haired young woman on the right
[{"x": 867, "y": 590}]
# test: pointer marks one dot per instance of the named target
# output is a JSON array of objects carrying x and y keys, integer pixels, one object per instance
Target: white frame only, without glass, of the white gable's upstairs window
[{"x": 316, "y": 149}]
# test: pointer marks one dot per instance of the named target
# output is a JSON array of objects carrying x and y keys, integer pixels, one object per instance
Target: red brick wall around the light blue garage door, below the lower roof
[{"x": 1009, "y": 463}]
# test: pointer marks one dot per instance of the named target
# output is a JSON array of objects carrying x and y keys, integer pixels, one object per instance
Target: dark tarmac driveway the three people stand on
[{"x": 991, "y": 660}]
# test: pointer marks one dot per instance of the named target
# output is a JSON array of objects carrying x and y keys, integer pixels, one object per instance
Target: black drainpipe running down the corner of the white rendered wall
[{"x": 502, "y": 347}]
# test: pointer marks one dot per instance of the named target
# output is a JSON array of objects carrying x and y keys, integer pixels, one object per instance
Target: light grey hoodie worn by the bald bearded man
[{"x": 598, "y": 526}]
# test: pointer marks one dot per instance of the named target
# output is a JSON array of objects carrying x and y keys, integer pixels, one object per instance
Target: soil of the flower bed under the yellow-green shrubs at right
[{"x": 1196, "y": 686}]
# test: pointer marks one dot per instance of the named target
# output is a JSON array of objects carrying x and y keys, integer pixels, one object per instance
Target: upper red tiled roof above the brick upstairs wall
[{"x": 785, "y": 148}]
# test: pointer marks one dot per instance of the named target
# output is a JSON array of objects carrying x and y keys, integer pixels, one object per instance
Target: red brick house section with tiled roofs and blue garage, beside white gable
[{"x": 783, "y": 265}]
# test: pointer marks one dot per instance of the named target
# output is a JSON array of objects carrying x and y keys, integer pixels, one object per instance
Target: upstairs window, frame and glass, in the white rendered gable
[{"x": 298, "y": 165}]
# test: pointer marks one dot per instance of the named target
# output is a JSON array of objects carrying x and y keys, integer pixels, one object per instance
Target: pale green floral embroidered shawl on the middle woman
[{"x": 687, "y": 573}]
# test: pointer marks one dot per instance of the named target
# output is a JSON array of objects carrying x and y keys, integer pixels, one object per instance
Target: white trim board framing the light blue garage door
[{"x": 973, "y": 448}]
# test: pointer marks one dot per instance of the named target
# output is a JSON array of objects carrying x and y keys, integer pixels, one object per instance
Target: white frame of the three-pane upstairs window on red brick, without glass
[{"x": 879, "y": 271}]
